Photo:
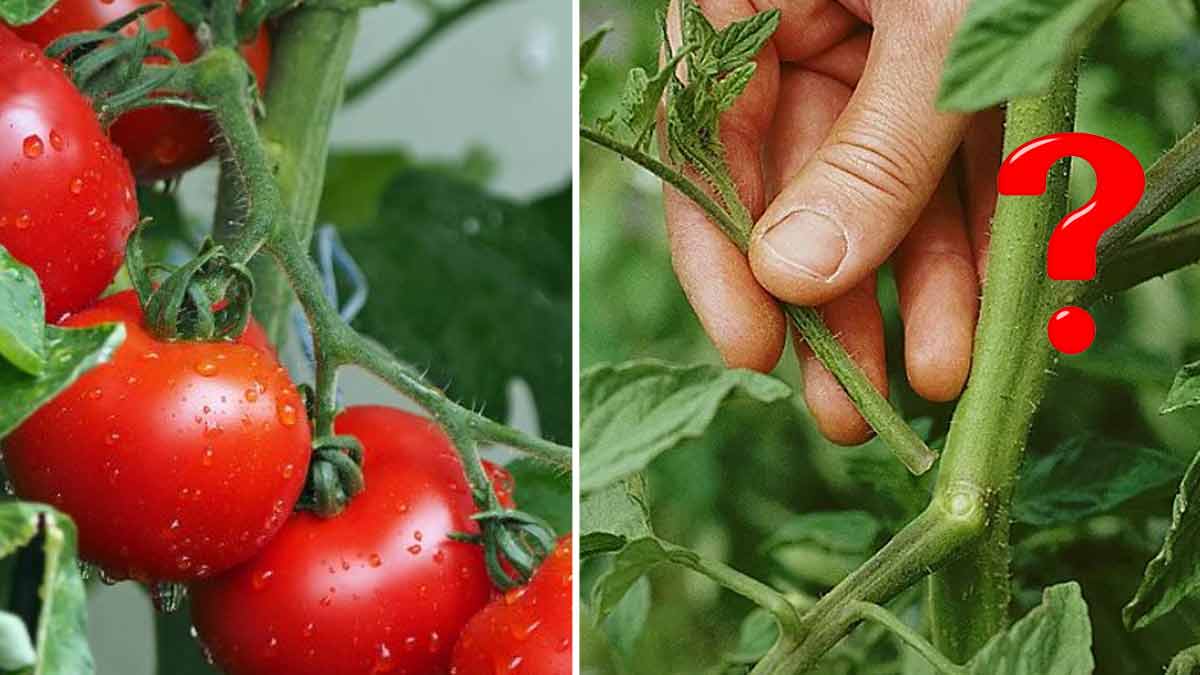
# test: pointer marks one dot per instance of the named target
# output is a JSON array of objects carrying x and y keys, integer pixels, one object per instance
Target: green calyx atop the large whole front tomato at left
[{"x": 181, "y": 304}]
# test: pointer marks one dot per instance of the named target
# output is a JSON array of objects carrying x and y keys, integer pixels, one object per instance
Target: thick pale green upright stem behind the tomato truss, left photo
[{"x": 313, "y": 50}]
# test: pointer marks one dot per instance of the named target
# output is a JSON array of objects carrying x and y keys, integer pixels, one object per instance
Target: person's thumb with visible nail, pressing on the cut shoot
[{"x": 865, "y": 188}]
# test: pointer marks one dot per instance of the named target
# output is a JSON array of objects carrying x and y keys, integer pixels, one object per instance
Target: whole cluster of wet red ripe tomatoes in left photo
[{"x": 182, "y": 462}]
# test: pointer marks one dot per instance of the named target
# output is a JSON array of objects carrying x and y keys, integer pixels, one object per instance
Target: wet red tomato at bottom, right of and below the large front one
[{"x": 380, "y": 589}]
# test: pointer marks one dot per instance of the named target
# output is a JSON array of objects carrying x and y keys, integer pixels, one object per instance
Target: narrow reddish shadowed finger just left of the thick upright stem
[{"x": 982, "y": 148}]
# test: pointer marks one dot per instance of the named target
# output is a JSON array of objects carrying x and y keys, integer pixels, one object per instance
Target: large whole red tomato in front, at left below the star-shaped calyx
[{"x": 177, "y": 461}]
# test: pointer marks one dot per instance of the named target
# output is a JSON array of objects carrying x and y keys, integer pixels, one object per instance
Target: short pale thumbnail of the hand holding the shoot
[{"x": 809, "y": 243}]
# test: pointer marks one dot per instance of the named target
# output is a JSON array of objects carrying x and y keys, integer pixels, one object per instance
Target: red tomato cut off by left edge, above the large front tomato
[{"x": 67, "y": 195}]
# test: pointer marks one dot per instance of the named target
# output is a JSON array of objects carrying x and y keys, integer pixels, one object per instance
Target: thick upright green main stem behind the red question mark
[{"x": 970, "y": 598}]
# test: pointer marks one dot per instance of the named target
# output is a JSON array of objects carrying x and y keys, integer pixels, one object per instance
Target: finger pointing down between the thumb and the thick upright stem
[{"x": 939, "y": 294}]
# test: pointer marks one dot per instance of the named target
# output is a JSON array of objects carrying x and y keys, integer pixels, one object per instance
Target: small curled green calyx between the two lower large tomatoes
[{"x": 335, "y": 476}]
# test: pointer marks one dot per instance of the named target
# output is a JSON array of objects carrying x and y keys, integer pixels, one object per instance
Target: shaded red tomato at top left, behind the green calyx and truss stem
[{"x": 159, "y": 142}]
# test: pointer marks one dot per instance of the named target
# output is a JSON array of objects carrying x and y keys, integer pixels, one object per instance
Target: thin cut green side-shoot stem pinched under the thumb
[{"x": 875, "y": 409}]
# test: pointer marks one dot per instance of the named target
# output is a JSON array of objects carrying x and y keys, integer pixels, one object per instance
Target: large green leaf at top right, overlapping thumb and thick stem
[{"x": 1011, "y": 49}]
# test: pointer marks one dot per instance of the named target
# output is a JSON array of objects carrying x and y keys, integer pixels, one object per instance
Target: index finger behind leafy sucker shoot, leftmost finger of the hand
[{"x": 740, "y": 318}]
